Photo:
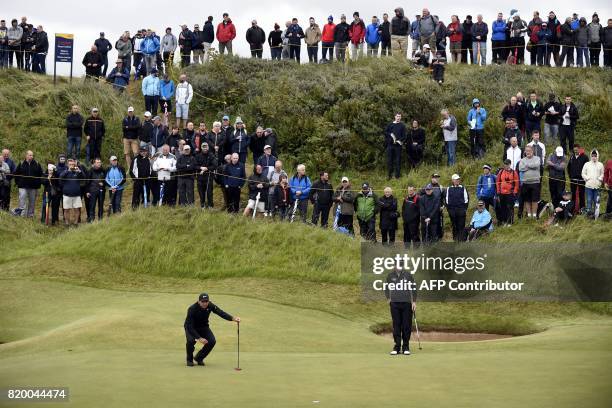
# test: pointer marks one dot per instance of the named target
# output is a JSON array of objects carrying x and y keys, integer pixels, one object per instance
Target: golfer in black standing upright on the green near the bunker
[{"x": 402, "y": 302}]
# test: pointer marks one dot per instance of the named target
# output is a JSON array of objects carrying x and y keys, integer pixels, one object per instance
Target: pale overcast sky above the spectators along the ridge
[{"x": 85, "y": 19}]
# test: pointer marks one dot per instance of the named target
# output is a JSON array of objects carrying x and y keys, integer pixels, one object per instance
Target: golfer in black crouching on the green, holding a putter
[{"x": 196, "y": 328}]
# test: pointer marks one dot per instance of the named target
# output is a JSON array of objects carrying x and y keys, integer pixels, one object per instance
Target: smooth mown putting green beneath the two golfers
[{"x": 125, "y": 349}]
